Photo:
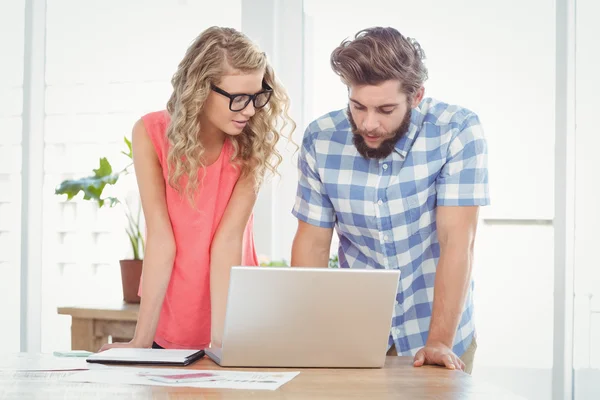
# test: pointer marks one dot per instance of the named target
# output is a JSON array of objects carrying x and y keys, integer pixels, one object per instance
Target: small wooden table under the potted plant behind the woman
[{"x": 92, "y": 325}]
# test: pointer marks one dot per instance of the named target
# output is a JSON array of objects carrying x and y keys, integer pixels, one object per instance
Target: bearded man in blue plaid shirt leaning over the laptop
[{"x": 401, "y": 179}]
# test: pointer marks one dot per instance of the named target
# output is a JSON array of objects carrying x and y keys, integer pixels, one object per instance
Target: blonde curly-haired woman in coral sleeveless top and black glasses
[{"x": 199, "y": 166}]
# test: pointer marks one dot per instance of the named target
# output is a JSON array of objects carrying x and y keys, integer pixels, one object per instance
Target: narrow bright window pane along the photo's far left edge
[{"x": 12, "y": 19}]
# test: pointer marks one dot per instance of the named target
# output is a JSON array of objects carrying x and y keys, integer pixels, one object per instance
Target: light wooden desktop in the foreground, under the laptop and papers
[{"x": 398, "y": 380}]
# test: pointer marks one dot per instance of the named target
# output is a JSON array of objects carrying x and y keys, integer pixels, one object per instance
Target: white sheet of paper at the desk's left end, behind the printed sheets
[{"x": 43, "y": 362}]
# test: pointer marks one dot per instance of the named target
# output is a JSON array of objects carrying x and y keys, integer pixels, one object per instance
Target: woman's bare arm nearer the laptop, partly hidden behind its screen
[{"x": 226, "y": 251}]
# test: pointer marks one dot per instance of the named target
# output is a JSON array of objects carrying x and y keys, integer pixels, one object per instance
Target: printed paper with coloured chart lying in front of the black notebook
[{"x": 216, "y": 379}]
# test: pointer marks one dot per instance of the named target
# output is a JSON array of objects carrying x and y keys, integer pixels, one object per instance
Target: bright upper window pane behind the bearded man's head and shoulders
[{"x": 473, "y": 61}]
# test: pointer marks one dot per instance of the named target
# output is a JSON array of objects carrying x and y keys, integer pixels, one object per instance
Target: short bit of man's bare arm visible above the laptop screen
[{"x": 311, "y": 246}]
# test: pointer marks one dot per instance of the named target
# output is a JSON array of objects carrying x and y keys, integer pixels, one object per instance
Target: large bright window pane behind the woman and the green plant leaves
[{"x": 99, "y": 82}]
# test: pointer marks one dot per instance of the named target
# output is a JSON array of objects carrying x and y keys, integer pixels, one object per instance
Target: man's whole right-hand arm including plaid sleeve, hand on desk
[{"x": 462, "y": 187}]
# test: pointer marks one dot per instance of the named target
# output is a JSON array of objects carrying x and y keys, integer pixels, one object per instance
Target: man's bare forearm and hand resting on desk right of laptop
[{"x": 456, "y": 234}]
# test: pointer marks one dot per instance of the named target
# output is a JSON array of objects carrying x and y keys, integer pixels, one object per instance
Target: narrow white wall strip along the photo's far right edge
[{"x": 587, "y": 266}]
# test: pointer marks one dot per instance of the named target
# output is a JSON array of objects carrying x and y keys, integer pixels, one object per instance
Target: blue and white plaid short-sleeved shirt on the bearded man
[{"x": 384, "y": 210}]
